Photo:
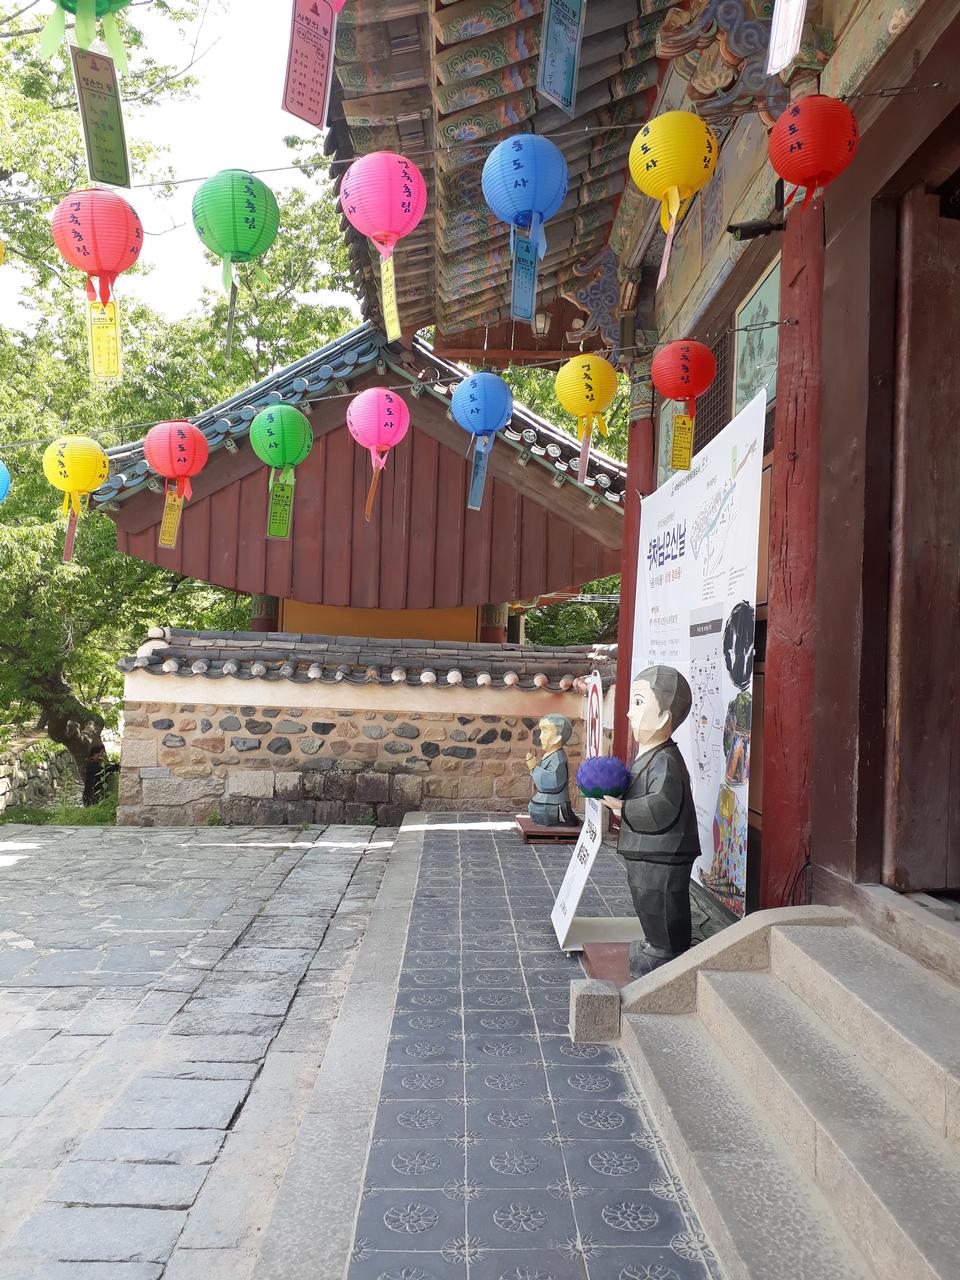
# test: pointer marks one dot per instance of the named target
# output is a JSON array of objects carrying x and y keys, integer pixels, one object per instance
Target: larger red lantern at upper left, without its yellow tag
[{"x": 98, "y": 232}]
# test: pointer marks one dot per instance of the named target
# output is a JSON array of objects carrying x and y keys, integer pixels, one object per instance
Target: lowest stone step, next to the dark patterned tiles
[{"x": 764, "y": 1218}]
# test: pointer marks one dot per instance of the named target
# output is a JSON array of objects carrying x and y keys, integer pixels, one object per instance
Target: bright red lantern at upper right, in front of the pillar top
[{"x": 813, "y": 143}]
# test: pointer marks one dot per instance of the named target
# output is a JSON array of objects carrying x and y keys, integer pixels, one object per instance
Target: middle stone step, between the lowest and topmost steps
[{"x": 893, "y": 1185}]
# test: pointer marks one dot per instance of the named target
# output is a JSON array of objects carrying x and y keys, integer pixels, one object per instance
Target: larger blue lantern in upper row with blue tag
[{"x": 525, "y": 184}]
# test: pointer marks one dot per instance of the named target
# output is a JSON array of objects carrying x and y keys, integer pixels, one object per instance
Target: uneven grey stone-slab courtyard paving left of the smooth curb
[{"x": 166, "y": 1000}]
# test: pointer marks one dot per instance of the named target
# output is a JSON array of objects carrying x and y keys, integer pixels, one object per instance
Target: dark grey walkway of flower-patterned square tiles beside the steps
[{"x": 501, "y": 1151}]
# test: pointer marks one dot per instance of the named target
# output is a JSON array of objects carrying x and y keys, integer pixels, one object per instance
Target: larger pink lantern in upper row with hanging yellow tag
[{"x": 383, "y": 196}]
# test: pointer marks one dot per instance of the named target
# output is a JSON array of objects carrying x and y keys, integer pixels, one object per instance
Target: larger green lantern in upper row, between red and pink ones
[{"x": 237, "y": 218}]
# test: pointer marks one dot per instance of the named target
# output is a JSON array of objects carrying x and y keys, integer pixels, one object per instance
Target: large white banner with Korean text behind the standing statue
[{"x": 696, "y": 607}]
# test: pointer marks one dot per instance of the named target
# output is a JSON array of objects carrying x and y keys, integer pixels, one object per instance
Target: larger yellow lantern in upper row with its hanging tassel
[{"x": 671, "y": 159}]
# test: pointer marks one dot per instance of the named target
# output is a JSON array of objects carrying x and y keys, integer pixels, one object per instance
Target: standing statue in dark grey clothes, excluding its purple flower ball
[{"x": 659, "y": 834}]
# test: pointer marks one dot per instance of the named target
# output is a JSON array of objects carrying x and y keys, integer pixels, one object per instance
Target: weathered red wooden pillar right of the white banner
[{"x": 789, "y": 683}]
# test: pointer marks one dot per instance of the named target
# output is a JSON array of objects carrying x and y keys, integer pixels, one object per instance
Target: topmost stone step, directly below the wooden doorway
[{"x": 902, "y": 1018}]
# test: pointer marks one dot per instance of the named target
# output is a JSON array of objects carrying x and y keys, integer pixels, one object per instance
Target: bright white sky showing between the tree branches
[{"x": 234, "y": 121}]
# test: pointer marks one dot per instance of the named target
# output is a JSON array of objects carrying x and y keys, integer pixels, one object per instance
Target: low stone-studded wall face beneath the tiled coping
[{"x": 186, "y": 765}]
